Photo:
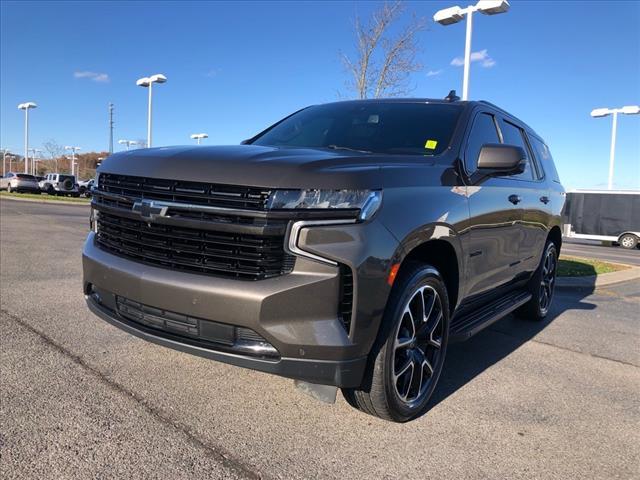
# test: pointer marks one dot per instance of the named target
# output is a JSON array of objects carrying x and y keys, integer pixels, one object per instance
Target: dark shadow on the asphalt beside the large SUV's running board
[{"x": 468, "y": 359}]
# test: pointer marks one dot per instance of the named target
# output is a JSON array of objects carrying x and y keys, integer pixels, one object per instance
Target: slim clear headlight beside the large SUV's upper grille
[{"x": 367, "y": 201}]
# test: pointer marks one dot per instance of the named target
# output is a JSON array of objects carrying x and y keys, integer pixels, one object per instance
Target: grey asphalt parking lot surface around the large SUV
[{"x": 81, "y": 399}]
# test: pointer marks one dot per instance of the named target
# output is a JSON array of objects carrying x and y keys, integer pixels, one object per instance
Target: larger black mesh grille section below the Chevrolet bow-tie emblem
[{"x": 233, "y": 255}]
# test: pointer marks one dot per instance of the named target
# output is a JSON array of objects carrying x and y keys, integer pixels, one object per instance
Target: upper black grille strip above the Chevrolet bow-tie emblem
[{"x": 196, "y": 193}]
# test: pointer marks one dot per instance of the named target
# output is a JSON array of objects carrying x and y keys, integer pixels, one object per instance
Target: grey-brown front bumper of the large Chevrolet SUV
[{"x": 296, "y": 313}]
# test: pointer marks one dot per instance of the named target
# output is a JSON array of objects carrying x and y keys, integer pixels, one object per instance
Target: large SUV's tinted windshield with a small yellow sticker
[{"x": 379, "y": 127}]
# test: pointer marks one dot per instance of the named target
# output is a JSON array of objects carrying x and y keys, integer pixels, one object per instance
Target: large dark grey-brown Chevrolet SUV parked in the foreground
[{"x": 345, "y": 246}]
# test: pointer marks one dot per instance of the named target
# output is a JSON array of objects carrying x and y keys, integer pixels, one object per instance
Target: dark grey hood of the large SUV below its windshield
[{"x": 254, "y": 165}]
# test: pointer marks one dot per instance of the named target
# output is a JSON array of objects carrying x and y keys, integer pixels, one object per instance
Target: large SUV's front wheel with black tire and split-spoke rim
[{"x": 406, "y": 342}]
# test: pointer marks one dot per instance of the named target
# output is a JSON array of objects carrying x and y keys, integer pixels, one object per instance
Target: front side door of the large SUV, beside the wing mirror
[{"x": 495, "y": 233}]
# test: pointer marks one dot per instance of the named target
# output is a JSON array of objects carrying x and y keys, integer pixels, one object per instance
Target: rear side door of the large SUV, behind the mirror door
[{"x": 534, "y": 200}]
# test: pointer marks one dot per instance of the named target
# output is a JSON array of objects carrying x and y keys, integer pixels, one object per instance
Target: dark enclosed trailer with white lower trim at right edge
[{"x": 604, "y": 215}]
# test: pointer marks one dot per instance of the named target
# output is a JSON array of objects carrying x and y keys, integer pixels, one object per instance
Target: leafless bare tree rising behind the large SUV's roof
[{"x": 384, "y": 62}]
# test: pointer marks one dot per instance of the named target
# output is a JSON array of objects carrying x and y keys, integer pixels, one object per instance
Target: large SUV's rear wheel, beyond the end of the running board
[{"x": 541, "y": 286}]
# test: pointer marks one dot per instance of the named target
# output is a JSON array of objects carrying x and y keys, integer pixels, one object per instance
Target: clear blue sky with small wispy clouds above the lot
[{"x": 234, "y": 68}]
